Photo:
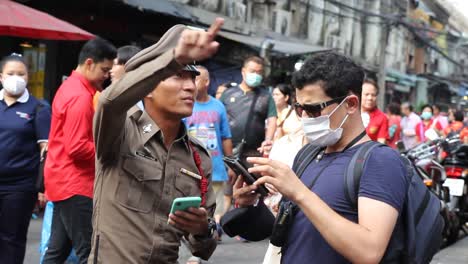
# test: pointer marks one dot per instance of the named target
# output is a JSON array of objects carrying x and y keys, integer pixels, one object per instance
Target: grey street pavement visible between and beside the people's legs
[{"x": 231, "y": 251}]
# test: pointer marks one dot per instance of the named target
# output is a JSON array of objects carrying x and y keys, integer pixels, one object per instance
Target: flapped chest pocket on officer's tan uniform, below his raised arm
[{"x": 139, "y": 183}]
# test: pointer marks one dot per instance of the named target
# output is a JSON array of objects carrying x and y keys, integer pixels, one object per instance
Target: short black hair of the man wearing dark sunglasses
[{"x": 337, "y": 74}]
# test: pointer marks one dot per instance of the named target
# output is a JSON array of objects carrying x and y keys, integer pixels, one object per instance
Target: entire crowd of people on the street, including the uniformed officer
[{"x": 118, "y": 157}]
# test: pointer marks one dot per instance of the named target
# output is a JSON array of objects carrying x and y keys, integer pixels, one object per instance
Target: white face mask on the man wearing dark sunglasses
[{"x": 318, "y": 131}]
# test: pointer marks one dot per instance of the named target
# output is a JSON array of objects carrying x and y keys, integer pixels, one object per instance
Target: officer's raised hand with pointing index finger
[{"x": 197, "y": 45}]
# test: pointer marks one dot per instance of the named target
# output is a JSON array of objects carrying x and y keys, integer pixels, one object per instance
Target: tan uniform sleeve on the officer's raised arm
[{"x": 120, "y": 96}]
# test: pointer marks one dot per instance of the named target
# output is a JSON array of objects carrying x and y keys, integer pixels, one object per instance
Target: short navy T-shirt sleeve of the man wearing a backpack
[{"x": 383, "y": 178}]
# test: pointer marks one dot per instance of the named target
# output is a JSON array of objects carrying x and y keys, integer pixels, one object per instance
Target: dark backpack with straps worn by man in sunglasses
[{"x": 423, "y": 223}]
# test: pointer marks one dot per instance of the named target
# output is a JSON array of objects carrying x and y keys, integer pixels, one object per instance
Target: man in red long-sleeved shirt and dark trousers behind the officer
[{"x": 69, "y": 169}]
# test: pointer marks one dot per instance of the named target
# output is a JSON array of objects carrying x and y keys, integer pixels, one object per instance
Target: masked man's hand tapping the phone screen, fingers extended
[{"x": 280, "y": 176}]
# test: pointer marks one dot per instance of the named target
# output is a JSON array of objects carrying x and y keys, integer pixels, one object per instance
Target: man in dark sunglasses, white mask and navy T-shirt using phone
[{"x": 326, "y": 228}]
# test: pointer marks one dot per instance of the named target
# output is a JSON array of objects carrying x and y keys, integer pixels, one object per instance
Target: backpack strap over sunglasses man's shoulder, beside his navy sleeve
[{"x": 353, "y": 172}]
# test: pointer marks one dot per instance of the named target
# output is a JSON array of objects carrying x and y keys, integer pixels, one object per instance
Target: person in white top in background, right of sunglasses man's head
[{"x": 408, "y": 125}]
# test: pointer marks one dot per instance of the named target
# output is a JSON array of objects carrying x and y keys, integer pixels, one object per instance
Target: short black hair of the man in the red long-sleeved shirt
[{"x": 98, "y": 50}]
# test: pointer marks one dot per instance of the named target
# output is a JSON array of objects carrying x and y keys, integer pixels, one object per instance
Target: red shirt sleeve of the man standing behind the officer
[{"x": 77, "y": 127}]
